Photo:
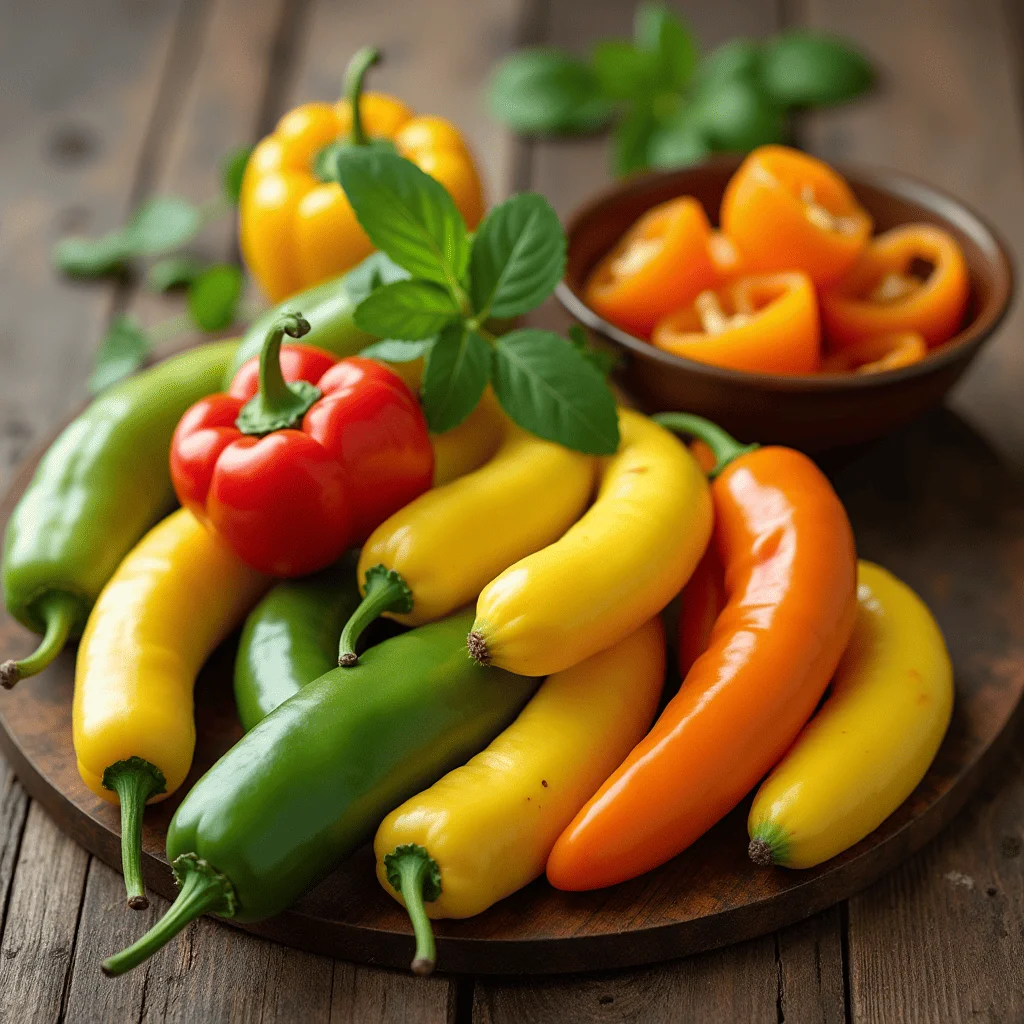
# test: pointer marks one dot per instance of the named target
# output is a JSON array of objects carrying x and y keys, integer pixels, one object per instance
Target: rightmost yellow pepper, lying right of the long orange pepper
[{"x": 873, "y": 741}]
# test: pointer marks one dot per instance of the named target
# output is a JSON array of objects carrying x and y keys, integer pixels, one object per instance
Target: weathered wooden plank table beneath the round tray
[{"x": 104, "y": 103}]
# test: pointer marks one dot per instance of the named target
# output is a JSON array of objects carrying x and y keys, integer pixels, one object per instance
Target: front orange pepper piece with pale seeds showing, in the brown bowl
[{"x": 765, "y": 324}]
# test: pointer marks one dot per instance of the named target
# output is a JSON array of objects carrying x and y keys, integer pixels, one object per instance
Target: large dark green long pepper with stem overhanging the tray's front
[{"x": 314, "y": 781}]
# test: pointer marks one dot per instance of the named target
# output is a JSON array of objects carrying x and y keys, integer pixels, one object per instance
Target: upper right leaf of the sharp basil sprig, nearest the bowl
[{"x": 518, "y": 259}]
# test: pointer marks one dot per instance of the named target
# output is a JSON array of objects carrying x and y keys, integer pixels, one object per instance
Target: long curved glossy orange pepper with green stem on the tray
[{"x": 787, "y": 547}]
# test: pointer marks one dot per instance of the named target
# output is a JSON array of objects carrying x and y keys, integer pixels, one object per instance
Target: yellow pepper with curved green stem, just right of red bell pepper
[{"x": 435, "y": 556}]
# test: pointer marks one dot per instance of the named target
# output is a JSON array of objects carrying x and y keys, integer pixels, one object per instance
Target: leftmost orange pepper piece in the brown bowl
[{"x": 661, "y": 264}]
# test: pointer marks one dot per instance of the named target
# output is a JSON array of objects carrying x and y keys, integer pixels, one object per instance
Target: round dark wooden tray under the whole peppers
[{"x": 931, "y": 503}]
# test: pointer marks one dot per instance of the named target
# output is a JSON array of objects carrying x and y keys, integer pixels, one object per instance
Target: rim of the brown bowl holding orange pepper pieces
[{"x": 945, "y": 205}]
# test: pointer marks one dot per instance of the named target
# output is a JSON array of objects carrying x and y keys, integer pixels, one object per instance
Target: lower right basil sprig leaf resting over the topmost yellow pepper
[{"x": 546, "y": 387}]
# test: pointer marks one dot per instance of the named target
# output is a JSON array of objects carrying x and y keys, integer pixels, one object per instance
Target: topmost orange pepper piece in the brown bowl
[{"x": 786, "y": 210}]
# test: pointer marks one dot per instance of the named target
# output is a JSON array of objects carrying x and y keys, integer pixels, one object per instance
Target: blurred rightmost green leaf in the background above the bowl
[{"x": 810, "y": 69}]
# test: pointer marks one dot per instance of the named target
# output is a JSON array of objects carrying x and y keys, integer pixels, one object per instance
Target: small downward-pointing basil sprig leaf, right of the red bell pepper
[{"x": 457, "y": 372}]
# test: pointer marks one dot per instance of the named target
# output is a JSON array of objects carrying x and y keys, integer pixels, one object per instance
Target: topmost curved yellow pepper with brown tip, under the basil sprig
[{"x": 620, "y": 565}]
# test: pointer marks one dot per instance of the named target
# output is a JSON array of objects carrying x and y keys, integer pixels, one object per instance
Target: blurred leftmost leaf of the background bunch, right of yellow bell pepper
[{"x": 543, "y": 92}]
